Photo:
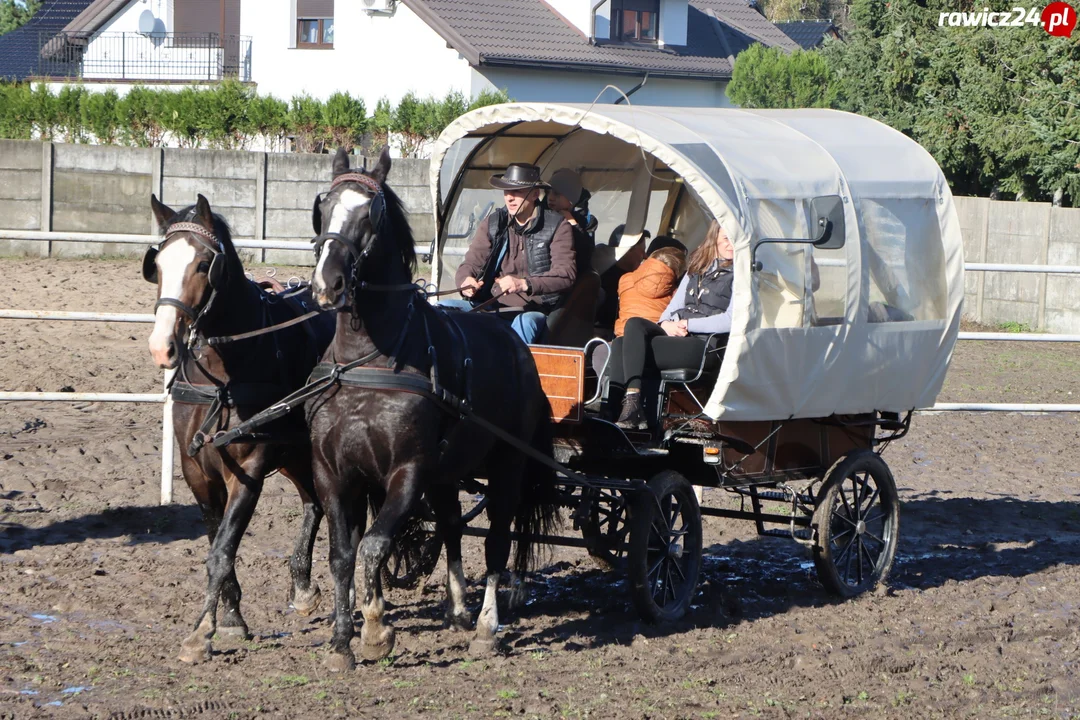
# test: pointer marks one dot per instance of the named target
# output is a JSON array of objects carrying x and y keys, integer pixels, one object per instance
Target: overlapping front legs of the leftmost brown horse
[{"x": 244, "y": 495}]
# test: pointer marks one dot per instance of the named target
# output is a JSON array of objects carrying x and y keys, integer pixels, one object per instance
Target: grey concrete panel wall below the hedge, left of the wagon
[{"x": 89, "y": 188}]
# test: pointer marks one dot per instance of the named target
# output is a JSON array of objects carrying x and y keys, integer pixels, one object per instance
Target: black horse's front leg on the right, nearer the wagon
[{"x": 403, "y": 491}]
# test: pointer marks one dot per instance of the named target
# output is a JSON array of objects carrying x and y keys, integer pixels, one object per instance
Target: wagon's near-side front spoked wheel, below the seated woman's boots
[{"x": 665, "y": 548}]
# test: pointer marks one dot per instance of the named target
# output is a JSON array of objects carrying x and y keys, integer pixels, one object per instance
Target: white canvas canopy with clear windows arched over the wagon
[{"x": 870, "y": 327}]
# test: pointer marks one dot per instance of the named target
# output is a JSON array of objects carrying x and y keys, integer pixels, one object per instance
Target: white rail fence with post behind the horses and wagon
[{"x": 168, "y": 450}]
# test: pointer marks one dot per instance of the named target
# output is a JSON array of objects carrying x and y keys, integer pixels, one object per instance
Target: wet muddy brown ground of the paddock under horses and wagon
[{"x": 100, "y": 583}]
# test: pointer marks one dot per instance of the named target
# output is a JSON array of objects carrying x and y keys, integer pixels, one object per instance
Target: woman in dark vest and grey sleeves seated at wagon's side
[{"x": 700, "y": 307}]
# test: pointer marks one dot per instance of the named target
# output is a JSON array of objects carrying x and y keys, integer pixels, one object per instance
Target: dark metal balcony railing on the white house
[{"x": 154, "y": 58}]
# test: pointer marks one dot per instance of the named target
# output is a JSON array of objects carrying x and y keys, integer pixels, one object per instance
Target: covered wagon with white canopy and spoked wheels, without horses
[{"x": 848, "y": 287}]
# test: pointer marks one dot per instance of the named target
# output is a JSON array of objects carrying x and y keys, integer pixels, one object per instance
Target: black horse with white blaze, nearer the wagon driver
[{"x": 393, "y": 431}]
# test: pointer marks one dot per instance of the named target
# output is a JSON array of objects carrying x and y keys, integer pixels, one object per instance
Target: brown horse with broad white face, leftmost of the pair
[{"x": 204, "y": 294}]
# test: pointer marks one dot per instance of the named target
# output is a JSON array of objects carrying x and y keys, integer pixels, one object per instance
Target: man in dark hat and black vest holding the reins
[{"x": 522, "y": 254}]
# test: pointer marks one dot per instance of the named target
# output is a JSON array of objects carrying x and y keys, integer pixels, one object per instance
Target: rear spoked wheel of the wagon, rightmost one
[{"x": 857, "y": 522}]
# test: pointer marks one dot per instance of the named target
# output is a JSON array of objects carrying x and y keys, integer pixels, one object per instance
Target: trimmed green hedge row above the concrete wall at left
[{"x": 226, "y": 116}]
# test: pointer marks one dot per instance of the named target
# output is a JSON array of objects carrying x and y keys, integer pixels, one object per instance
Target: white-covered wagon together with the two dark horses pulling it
[{"x": 848, "y": 282}]
